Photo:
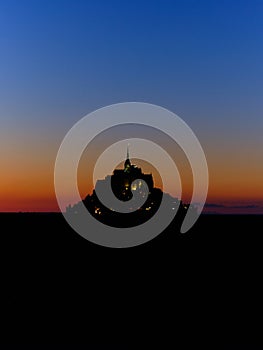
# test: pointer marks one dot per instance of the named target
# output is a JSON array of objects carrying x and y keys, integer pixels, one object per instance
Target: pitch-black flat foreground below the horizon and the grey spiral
[{"x": 201, "y": 288}]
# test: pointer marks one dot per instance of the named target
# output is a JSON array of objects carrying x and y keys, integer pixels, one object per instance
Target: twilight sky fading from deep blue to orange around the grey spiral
[{"x": 60, "y": 60}]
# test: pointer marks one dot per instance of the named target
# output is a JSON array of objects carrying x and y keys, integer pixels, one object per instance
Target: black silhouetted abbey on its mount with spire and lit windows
[{"x": 126, "y": 184}]
